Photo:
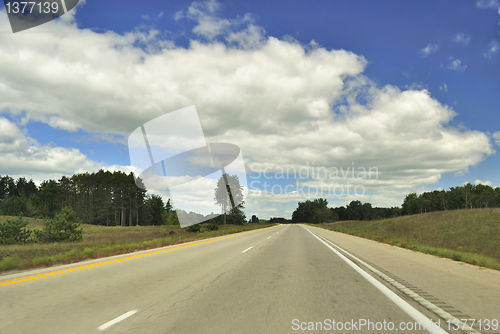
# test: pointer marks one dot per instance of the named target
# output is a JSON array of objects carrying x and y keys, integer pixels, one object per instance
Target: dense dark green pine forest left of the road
[{"x": 102, "y": 198}]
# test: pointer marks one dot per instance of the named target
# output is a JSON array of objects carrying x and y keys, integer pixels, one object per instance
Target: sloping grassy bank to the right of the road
[{"x": 471, "y": 236}]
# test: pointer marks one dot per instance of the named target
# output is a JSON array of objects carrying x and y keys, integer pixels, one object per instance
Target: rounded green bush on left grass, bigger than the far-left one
[{"x": 63, "y": 227}]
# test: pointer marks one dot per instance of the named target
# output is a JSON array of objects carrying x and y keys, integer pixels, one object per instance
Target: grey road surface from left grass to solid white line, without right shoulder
[{"x": 278, "y": 280}]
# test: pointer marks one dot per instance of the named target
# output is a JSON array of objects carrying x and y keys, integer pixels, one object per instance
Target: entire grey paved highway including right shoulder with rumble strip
[{"x": 284, "y": 279}]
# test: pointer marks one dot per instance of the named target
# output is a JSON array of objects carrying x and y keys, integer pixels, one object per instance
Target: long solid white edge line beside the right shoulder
[{"x": 407, "y": 308}]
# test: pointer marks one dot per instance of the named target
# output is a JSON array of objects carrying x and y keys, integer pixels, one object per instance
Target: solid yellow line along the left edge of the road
[{"x": 68, "y": 270}]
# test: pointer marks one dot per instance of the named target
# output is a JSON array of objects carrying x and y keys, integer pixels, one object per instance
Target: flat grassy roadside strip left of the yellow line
[{"x": 102, "y": 241}]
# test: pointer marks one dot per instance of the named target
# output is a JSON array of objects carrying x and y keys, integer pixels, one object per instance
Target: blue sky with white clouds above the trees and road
[{"x": 309, "y": 91}]
